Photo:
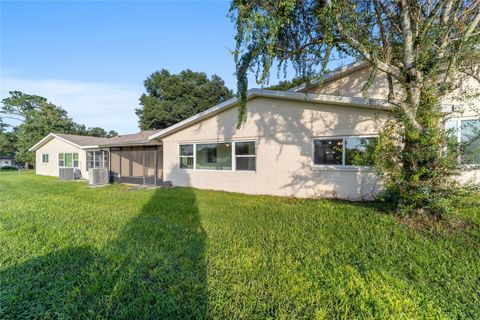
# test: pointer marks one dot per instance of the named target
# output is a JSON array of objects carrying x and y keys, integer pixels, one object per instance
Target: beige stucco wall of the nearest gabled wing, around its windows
[{"x": 283, "y": 131}]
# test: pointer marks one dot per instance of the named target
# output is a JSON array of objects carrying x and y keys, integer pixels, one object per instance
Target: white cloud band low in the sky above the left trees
[{"x": 110, "y": 106}]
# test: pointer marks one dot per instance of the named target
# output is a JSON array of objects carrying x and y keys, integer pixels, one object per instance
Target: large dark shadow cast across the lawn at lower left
[{"x": 154, "y": 269}]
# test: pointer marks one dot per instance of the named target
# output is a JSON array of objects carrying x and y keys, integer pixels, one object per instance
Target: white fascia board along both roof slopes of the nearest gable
[{"x": 285, "y": 95}]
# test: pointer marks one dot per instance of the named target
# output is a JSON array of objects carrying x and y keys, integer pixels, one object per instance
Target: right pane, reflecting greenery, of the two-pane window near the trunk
[{"x": 359, "y": 151}]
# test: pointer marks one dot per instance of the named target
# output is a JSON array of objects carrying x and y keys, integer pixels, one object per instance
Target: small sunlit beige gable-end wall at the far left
[{"x": 53, "y": 148}]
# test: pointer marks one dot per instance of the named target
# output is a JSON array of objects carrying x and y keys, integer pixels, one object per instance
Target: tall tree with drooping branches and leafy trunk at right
[{"x": 426, "y": 48}]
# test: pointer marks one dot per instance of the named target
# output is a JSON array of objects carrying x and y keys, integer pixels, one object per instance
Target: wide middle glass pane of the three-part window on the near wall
[{"x": 214, "y": 156}]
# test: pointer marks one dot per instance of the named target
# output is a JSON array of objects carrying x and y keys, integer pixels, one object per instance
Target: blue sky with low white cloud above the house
[{"x": 91, "y": 57}]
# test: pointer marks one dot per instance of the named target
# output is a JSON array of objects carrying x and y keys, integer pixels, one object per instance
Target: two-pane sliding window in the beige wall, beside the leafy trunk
[{"x": 345, "y": 151}]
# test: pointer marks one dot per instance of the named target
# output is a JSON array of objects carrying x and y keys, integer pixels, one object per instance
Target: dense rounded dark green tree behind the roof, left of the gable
[{"x": 171, "y": 98}]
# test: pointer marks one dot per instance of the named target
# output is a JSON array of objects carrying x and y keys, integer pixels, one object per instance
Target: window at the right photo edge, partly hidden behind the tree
[{"x": 466, "y": 132}]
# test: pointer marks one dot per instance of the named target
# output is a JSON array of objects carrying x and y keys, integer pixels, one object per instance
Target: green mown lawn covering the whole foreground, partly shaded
[{"x": 70, "y": 251}]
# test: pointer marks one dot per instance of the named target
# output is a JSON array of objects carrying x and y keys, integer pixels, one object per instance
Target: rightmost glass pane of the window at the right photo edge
[{"x": 470, "y": 139}]
